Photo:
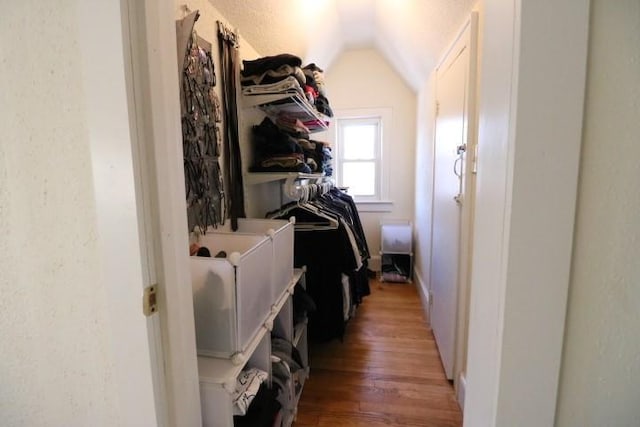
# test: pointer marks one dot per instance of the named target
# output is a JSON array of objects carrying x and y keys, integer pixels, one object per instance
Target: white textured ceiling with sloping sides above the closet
[{"x": 411, "y": 34}]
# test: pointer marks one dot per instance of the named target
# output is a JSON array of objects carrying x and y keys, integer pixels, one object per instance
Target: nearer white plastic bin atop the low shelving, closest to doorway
[{"x": 232, "y": 296}]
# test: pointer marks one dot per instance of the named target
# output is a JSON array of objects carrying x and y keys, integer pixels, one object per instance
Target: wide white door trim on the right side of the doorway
[{"x": 530, "y": 123}]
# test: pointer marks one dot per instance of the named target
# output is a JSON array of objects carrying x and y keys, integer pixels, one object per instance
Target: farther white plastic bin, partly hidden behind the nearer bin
[{"x": 281, "y": 233}]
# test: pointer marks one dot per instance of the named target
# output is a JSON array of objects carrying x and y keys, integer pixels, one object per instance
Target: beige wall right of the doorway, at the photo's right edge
[{"x": 600, "y": 378}]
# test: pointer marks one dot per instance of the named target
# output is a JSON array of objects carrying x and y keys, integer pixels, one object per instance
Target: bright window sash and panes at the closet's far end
[{"x": 359, "y": 156}]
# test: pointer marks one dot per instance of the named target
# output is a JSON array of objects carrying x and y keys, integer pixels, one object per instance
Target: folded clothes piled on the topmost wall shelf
[{"x": 283, "y": 74}]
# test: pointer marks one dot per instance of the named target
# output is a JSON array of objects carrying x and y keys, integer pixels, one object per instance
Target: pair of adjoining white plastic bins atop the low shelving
[{"x": 233, "y": 296}]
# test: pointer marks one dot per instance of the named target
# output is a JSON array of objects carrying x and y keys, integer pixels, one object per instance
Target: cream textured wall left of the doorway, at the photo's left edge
[{"x": 56, "y": 365}]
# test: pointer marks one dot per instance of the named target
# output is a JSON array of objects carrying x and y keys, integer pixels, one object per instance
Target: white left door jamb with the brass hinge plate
[{"x": 152, "y": 74}]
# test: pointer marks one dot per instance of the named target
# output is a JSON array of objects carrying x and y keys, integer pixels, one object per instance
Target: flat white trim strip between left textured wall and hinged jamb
[{"x": 103, "y": 53}]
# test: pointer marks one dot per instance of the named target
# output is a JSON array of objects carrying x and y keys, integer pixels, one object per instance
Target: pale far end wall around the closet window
[{"x": 361, "y": 79}]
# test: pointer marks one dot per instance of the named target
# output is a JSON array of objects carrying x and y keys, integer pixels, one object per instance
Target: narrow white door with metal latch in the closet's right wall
[{"x": 451, "y": 201}]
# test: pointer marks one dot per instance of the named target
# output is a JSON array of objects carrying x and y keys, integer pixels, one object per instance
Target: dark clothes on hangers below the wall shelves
[{"x": 330, "y": 242}]
